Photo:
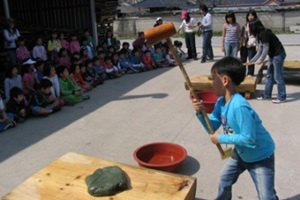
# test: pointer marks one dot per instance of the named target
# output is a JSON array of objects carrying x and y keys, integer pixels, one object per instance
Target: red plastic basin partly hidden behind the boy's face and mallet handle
[{"x": 209, "y": 99}]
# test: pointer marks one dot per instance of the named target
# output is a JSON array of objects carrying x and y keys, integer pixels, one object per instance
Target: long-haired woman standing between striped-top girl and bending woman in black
[{"x": 248, "y": 48}]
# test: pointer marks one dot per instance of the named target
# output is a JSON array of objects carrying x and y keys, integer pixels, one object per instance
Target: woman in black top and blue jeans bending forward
[{"x": 269, "y": 44}]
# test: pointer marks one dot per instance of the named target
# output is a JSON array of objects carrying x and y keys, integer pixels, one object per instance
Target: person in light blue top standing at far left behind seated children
[{"x": 11, "y": 35}]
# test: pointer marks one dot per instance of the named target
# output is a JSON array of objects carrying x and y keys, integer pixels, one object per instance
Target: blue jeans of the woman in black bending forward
[{"x": 275, "y": 75}]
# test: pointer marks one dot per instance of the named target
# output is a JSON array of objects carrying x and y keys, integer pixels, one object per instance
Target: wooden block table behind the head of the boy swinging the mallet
[{"x": 203, "y": 83}]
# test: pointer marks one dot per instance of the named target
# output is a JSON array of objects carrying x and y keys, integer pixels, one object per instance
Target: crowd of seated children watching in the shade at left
[{"x": 61, "y": 72}]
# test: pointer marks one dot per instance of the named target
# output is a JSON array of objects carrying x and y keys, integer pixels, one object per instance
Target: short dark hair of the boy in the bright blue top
[{"x": 231, "y": 67}]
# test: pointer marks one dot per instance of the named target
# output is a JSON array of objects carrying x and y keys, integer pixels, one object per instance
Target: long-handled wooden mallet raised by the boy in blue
[{"x": 165, "y": 31}]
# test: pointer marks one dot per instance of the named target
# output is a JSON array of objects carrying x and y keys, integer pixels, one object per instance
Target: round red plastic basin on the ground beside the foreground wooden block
[{"x": 161, "y": 156}]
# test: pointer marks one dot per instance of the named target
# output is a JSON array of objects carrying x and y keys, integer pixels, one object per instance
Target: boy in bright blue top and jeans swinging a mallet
[{"x": 253, "y": 145}]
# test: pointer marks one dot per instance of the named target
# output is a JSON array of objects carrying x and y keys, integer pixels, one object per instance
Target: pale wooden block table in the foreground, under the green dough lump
[{"x": 63, "y": 179}]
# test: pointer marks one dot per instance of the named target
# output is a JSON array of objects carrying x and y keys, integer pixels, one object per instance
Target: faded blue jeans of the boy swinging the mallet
[{"x": 261, "y": 172}]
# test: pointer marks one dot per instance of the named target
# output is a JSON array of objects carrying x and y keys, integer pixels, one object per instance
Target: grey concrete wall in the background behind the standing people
[{"x": 130, "y": 26}]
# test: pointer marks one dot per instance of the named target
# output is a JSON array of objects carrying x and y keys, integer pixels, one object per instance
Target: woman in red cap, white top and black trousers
[{"x": 189, "y": 24}]
